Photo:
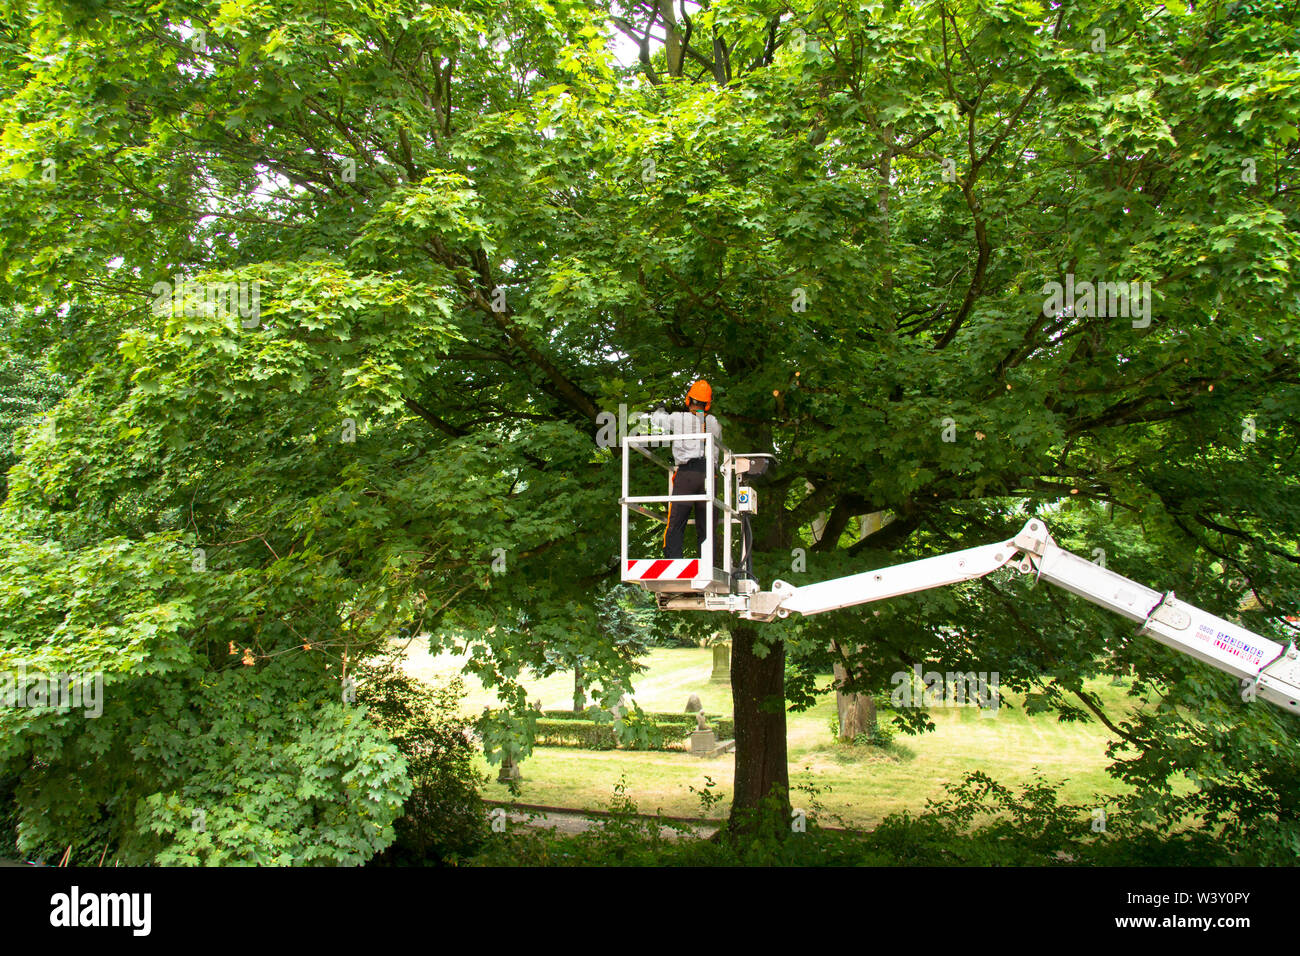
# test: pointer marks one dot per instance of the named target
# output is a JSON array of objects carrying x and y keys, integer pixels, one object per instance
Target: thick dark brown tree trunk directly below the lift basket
[{"x": 761, "y": 762}]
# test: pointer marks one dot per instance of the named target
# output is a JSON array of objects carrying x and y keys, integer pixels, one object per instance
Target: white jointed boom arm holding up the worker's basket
[{"x": 1271, "y": 668}]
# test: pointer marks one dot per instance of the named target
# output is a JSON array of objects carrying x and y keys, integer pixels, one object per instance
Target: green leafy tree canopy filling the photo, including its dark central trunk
[{"x": 449, "y": 237}]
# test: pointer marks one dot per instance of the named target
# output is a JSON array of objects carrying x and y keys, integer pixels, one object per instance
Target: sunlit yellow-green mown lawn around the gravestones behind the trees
[{"x": 860, "y": 786}]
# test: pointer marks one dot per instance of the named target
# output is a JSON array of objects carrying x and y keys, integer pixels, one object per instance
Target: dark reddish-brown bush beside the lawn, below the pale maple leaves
[{"x": 444, "y": 820}]
